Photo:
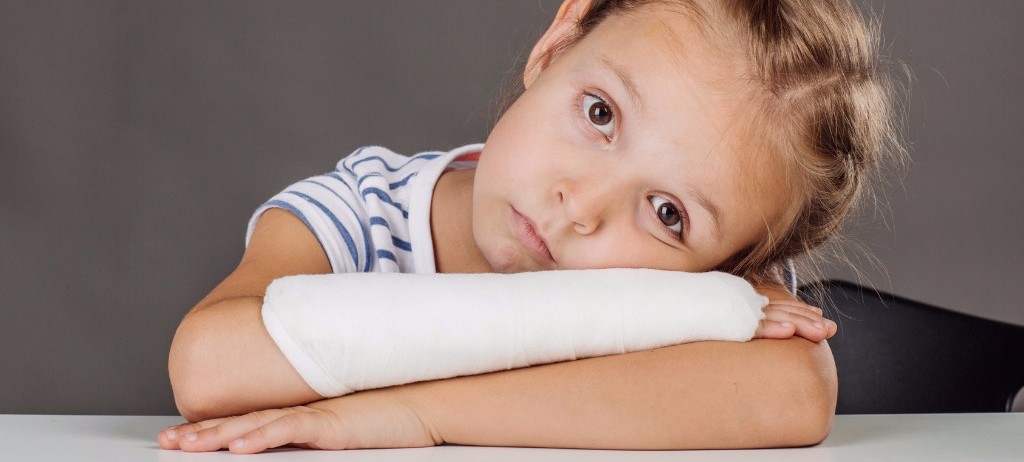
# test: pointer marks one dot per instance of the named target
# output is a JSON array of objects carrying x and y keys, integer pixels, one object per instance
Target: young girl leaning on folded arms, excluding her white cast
[{"x": 686, "y": 136}]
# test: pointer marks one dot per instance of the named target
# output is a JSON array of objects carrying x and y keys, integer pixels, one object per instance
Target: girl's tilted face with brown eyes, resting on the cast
[{"x": 629, "y": 150}]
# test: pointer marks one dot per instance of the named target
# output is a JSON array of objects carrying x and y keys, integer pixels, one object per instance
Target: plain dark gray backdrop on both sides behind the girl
[{"x": 138, "y": 137}]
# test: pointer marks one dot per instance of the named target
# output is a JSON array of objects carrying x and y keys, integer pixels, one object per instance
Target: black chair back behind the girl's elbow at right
[{"x": 897, "y": 356}]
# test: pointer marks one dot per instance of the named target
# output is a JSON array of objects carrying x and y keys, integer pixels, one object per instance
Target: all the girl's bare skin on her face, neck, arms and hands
[{"x": 587, "y": 191}]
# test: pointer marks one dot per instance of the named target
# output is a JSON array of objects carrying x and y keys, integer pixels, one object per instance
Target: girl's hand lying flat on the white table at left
[{"x": 369, "y": 419}]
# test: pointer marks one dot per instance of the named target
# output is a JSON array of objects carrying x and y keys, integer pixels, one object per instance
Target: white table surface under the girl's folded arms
[{"x": 906, "y": 438}]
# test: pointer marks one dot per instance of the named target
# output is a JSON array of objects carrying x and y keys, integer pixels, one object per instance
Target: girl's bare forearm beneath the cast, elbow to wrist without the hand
[{"x": 762, "y": 394}]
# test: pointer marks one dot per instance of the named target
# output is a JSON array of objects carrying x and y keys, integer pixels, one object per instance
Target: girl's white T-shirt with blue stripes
[{"x": 372, "y": 214}]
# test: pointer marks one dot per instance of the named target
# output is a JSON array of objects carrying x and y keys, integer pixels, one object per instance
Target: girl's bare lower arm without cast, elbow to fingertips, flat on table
[{"x": 676, "y": 398}]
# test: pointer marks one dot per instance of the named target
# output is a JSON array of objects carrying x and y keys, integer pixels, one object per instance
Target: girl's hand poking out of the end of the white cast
[{"x": 786, "y": 317}]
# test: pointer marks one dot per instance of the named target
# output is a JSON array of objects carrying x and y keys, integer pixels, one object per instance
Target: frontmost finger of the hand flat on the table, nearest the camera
[{"x": 305, "y": 428}]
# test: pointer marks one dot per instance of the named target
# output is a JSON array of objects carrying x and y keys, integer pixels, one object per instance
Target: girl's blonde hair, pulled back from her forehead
[{"x": 827, "y": 109}]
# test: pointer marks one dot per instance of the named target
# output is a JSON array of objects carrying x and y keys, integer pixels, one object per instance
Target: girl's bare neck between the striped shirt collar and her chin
[{"x": 452, "y": 225}]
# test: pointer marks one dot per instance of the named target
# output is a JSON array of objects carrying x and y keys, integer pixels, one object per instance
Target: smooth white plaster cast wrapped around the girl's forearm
[{"x": 346, "y": 333}]
